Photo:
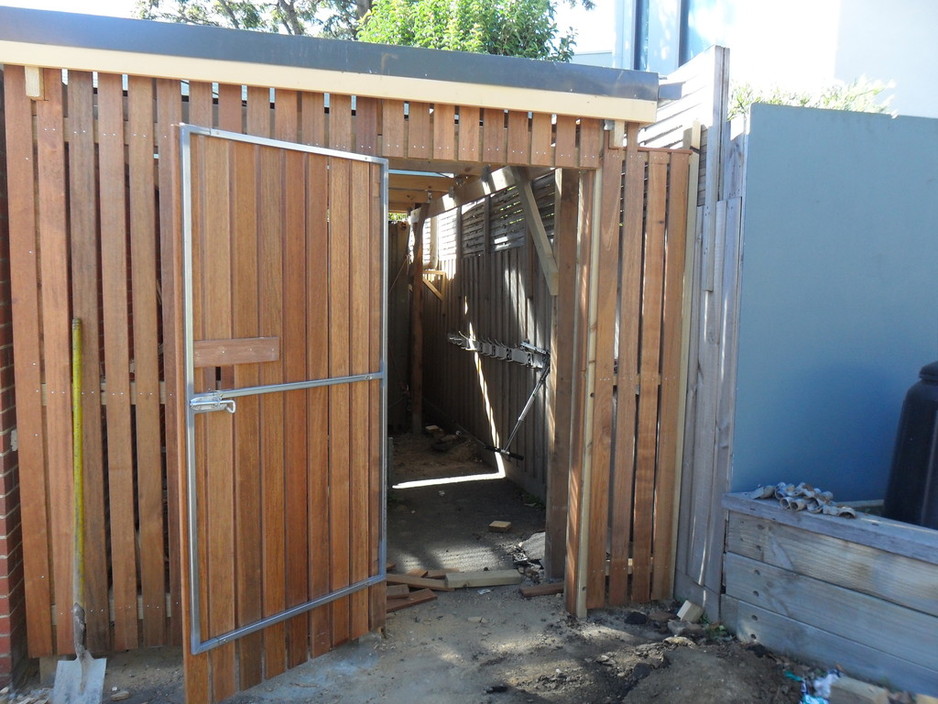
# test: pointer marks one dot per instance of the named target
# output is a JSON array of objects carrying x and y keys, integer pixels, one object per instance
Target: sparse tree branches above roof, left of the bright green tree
[{"x": 334, "y": 18}]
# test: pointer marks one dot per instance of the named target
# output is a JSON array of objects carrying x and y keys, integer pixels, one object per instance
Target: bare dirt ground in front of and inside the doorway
[{"x": 487, "y": 646}]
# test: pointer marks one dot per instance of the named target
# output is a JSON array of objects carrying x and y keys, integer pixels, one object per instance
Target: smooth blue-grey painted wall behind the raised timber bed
[{"x": 839, "y": 305}]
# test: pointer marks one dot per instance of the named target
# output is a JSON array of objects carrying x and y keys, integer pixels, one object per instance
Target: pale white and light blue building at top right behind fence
[{"x": 797, "y": 43}]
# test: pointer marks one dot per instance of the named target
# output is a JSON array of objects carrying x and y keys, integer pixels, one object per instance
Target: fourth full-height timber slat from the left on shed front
[{"x": 114, "y": 295}]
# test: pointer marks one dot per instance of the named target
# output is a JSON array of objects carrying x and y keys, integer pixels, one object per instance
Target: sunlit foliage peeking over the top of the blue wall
[{"x": 861, "y": 95}]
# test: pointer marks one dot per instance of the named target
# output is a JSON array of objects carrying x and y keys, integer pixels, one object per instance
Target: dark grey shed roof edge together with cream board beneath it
[{"x": 166, "y": 50}]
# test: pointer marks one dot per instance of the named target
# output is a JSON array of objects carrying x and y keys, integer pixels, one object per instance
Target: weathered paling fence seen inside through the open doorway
[{"x": 490, "y": 287}]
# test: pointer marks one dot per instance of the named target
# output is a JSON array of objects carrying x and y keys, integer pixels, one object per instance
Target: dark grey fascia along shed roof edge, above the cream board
[{"x": 169, "y": 39}]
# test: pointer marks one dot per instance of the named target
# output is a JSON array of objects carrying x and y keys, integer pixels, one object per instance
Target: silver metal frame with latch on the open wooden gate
[{"x": 224, "y": 400}]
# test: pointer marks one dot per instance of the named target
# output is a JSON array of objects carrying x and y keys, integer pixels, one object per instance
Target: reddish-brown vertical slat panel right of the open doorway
[{"x": 621, "y": 533}]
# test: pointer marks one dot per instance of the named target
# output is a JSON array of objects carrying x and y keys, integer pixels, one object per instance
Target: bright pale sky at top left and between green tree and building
[{"x": 594, "y": 28}]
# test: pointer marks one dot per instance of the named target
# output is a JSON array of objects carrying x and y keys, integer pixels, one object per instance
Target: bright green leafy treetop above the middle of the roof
[{"x": 525, "y": 28}]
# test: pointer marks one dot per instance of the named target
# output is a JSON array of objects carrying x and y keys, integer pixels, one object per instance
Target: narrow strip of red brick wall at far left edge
[{"x": 12, "y": 606}]
